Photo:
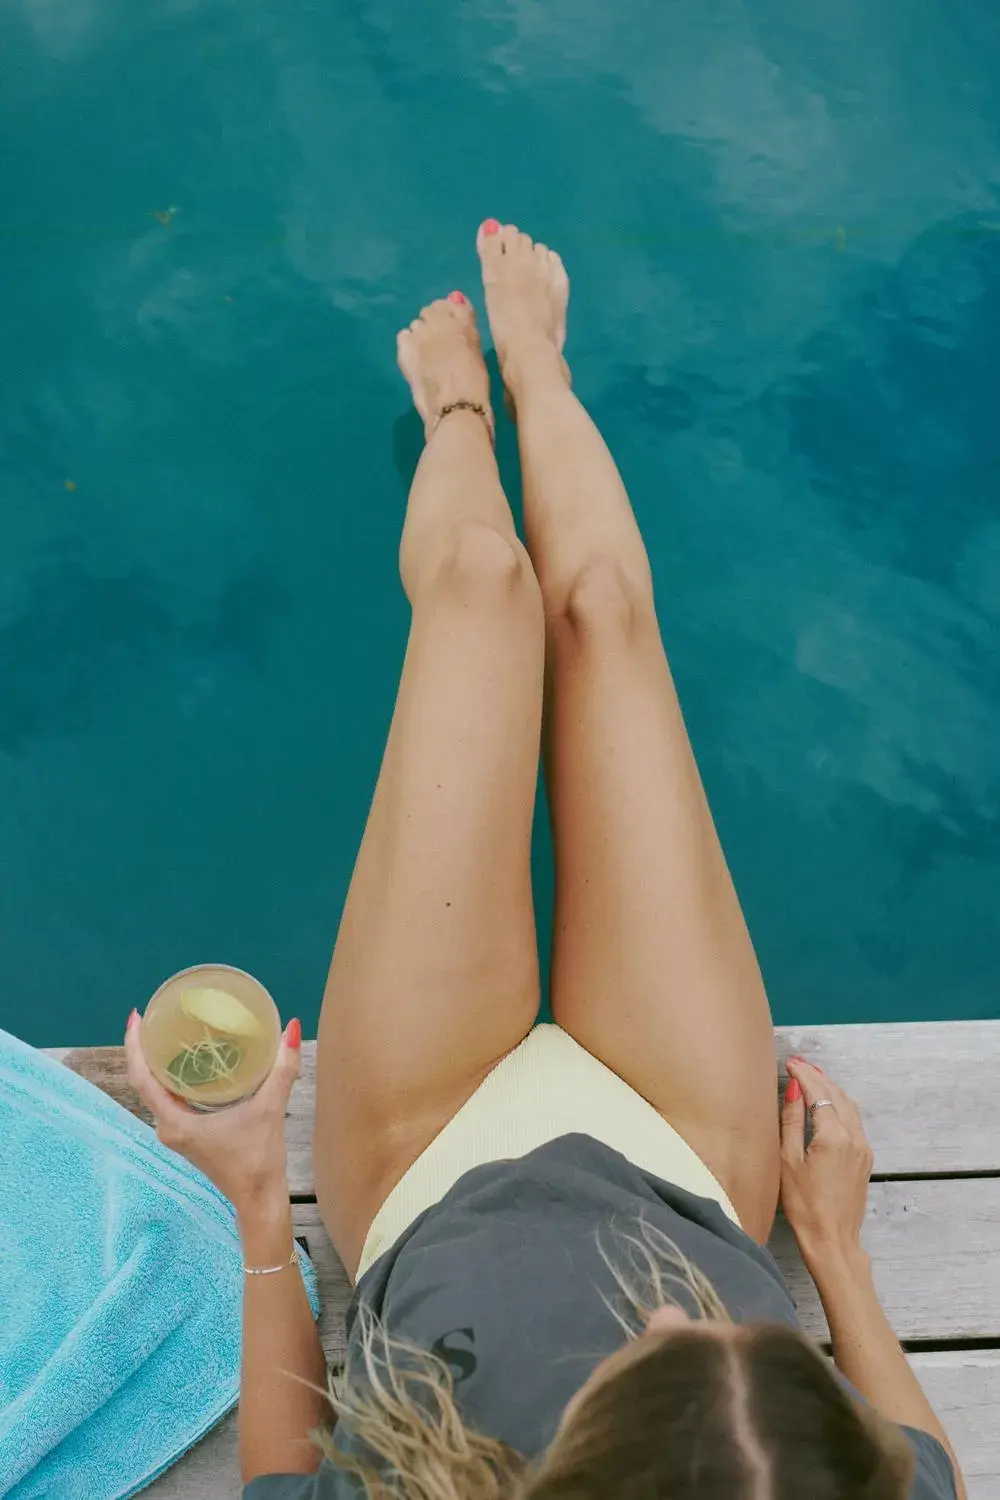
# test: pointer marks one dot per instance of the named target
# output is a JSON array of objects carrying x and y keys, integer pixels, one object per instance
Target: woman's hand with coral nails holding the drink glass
[{"x": 242, "y": 1150}]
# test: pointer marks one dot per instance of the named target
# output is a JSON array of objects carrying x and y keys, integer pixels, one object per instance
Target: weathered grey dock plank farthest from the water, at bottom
[{"x": 965, "y": 1390}]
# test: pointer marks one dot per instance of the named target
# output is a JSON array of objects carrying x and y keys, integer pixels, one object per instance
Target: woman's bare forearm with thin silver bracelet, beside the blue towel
[{"x": 284, "y": 1367}]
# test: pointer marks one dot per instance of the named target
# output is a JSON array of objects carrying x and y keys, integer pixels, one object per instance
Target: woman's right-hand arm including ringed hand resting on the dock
[{"x": 825, "y": 1193}]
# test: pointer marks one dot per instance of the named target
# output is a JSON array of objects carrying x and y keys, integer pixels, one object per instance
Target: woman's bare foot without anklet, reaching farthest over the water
[{"x": 527, "y": 296}]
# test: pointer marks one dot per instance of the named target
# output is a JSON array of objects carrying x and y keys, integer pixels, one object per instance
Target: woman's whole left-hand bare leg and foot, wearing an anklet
[{"x": 436, "y": 971}]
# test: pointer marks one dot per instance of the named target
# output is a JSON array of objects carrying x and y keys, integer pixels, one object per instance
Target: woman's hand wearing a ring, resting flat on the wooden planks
[{"x": 825, "y": 1187}]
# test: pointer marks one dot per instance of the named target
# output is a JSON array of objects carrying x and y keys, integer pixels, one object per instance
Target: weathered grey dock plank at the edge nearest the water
[{"x": 927, "y": 1091}]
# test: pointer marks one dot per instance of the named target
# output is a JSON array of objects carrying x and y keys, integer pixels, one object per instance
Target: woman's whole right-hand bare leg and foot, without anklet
[{"x": 653, "y": 967}]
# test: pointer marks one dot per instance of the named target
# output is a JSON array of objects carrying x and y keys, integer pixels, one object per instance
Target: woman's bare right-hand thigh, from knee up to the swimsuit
[{"x": 653, "y": 965}]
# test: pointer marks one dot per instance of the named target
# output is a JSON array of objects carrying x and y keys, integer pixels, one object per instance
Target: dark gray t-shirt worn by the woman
[{"x": 506, "y": 1282}]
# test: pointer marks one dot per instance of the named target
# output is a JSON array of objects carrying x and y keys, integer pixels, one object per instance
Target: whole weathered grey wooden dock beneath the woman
[{"x": 932, "y": 1100}]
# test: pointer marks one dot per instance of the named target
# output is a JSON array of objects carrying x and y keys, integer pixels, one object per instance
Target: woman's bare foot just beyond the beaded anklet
[{"x": 442, "y": 359}]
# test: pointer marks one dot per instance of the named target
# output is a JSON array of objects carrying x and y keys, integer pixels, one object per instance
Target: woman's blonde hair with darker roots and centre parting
[{"x": 401, "y": 1409}]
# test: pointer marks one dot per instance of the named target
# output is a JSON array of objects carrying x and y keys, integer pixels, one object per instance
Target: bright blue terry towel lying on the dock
[{"x": 121, "y": 1292}]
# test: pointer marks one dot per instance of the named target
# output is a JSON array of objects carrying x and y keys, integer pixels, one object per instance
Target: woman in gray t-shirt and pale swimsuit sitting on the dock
[{"x": 557, "y": 1231}]
